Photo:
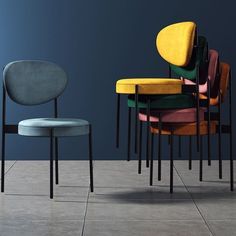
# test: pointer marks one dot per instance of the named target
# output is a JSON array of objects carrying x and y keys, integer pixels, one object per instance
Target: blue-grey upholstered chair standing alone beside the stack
[{"x": 33, "y": 83}]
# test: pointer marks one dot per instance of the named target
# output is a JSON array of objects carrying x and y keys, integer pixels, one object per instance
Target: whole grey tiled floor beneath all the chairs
[{"x": 123, "y": 203}]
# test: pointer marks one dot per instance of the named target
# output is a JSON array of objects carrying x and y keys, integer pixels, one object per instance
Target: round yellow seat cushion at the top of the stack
[{"x": 149, "y": 86}]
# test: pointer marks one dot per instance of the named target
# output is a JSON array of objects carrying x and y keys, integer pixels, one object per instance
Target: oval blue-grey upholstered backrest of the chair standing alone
[{"x": 33, "y": 82}]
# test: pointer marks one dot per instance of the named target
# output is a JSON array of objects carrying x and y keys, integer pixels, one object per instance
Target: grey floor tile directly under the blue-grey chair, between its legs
[{"x": 32, "y": 178}]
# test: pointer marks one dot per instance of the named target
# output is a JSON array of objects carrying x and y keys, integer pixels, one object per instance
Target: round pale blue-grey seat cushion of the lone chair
[{"x": 60, "y": 127}]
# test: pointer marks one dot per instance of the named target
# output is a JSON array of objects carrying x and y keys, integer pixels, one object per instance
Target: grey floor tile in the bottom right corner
[{"x": 223, "y": 227}]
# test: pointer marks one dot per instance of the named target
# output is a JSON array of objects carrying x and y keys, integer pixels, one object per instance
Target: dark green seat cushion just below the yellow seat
[{"x": 178, "y": 101}]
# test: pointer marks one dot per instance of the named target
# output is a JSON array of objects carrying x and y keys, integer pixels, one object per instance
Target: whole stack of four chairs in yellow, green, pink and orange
[{"x": 180, "y": 104}]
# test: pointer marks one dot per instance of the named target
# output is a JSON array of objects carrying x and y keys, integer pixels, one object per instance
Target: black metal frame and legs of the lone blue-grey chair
[{"x": 13, "y": 129}]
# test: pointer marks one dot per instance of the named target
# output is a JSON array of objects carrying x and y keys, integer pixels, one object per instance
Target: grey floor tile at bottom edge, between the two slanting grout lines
[{"x": 150, "y": 228}]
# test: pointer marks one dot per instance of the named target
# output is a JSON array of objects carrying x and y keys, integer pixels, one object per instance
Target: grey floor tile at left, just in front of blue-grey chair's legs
[{"x": 39, "y": 208}]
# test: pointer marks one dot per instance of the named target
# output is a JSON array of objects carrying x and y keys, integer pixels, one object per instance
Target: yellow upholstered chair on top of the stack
[{"x": 177, "y": 44}]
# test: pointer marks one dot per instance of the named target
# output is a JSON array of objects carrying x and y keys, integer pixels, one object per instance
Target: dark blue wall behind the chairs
[{"x": 97, "y": 42}]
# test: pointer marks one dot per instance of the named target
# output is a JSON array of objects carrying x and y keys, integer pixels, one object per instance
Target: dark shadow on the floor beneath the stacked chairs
[{"x": 159, "y": 195}]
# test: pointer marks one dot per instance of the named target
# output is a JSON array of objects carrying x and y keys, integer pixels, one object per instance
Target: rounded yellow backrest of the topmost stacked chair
[{"x": 175, "y": 43}]
